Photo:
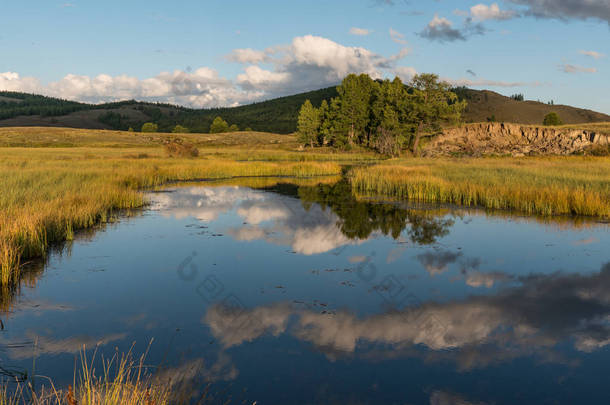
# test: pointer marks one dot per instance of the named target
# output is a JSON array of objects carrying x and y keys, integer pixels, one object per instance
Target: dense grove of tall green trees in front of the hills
[{"x": 386, "y": 116}]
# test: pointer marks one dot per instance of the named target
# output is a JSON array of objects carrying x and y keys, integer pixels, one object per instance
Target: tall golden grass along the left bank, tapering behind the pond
[{"x": 48, "y": 194}]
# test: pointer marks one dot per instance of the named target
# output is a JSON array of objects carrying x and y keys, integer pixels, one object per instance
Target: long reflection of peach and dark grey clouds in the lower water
[{"x": 542, "y": 313}]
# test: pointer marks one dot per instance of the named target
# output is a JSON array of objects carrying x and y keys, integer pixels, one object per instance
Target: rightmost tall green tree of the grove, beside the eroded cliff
[{"x": 432, "y": 103}]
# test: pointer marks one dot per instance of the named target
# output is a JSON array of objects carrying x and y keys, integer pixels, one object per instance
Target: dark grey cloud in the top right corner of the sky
[{"x": 567, "y": 9}]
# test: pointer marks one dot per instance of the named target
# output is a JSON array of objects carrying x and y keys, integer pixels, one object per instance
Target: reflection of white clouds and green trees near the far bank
[{"x": 322, "y": 218}]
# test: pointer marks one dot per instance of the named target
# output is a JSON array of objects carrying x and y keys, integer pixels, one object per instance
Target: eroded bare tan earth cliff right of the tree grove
[{"x": 513, "y": 139}]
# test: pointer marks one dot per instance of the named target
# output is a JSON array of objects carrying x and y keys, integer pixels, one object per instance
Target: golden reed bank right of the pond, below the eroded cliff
[{"x": 537, "y": 186}]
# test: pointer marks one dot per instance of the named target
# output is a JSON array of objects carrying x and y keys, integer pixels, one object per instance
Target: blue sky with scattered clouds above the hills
[{"x": 208, "y": 53}]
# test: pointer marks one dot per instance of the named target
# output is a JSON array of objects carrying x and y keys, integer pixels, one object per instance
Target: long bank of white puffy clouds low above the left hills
[{"x": 308, "y": 63}]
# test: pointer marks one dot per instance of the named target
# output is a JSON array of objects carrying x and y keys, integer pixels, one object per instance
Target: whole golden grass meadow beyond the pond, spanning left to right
[{"x": 55, "y": 181}]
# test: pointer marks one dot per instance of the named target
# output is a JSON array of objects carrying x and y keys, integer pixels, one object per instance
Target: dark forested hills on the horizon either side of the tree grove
[{"x": 278, "y": 115}]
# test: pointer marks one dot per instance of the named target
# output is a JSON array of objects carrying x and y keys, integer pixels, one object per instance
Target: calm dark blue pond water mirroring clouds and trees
[{"x": 304, "y": 295}]
